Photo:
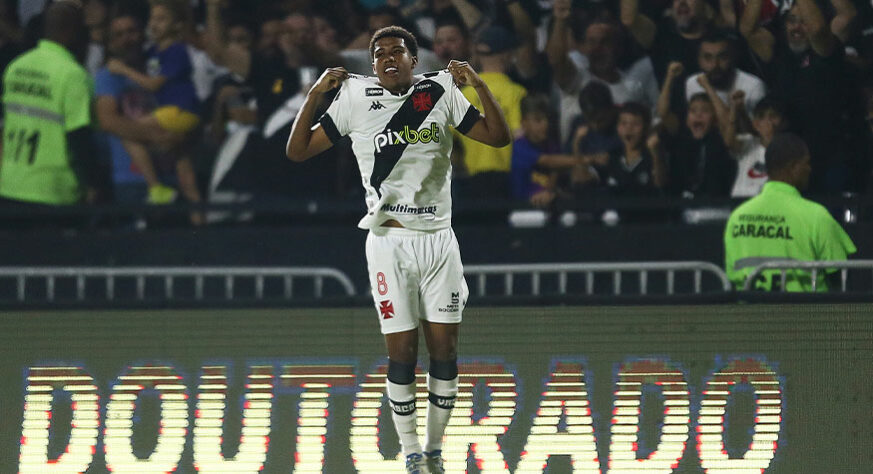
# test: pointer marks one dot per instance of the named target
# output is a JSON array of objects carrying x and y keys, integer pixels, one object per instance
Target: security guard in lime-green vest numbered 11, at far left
[{"x": 49, "y": 155}]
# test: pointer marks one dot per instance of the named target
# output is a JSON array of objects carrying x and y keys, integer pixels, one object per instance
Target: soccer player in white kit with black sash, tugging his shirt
[{"x": 399, "y": 127}]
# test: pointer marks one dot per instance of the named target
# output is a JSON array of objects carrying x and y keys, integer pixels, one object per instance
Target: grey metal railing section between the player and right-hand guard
[{"x": 563, "y": 272}]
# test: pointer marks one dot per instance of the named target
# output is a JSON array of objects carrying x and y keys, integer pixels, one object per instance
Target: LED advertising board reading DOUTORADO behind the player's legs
[{"x": 722, "y": 389}]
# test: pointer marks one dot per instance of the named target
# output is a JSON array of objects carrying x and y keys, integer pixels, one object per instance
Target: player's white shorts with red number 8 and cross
[{"x": 415, "y": 275}]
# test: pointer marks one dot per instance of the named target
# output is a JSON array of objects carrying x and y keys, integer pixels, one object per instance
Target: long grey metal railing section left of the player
[{"x": 171, "y": 276}]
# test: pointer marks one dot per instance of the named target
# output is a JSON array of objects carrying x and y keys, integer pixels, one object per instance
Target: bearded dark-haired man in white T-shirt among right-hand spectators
[{"x": 717, "y": 61}]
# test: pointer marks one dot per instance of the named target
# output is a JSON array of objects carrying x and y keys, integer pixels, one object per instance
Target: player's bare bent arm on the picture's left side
[{"x": 307, "y": 140}]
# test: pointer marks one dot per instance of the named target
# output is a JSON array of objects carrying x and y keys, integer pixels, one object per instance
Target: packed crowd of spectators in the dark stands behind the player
[{"x": 195, "y": 99}]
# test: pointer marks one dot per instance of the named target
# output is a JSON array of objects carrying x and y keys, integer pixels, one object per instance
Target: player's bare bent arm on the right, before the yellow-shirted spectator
[{"x": 491, "y": 128}]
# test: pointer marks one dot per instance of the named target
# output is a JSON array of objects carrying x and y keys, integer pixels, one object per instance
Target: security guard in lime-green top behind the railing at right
[{"x": 779, "y": 224}]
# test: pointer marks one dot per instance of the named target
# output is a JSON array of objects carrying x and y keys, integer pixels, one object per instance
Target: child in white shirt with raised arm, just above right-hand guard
[{"x": 747, "y": 148}]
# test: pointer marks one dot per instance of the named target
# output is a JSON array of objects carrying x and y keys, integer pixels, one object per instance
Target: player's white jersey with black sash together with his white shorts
[{"x": 403, "y": 145}]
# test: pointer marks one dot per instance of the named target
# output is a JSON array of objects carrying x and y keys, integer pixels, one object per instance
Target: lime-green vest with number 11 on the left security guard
[{"x": 46, "y": 95}]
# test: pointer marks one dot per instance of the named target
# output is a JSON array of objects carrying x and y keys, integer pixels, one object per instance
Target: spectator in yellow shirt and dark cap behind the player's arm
[{"x": 488, "y": 167}]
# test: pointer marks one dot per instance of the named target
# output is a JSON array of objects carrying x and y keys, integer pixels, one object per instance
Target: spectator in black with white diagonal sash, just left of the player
[{"x": 275, "y": 71}]
